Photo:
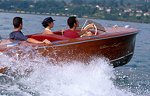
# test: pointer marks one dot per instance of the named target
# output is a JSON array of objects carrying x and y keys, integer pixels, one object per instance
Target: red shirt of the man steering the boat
[{"x": 71, "y": 34}]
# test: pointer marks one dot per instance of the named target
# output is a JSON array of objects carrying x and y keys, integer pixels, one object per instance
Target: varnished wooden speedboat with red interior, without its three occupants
[{"x": 116, "y": 44}]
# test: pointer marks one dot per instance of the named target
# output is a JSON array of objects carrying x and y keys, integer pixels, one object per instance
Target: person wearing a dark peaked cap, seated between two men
[{"x": 48, "y": 23}]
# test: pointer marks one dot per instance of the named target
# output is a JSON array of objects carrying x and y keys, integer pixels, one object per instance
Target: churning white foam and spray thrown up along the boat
[{"x": 40, "y": 77}]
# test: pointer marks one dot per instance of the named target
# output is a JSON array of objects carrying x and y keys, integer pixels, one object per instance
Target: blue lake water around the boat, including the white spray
[{"x": 74, "y": 78}]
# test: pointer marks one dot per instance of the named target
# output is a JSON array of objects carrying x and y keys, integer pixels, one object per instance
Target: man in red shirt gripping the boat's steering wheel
[{"x": 73, "y": 32}]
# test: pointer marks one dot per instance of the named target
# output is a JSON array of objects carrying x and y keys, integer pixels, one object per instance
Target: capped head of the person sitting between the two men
[{"x": 48, "y": 22}]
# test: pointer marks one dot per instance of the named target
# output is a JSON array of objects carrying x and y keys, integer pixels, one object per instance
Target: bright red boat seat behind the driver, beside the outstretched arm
[{"x": 50, "y": 37}]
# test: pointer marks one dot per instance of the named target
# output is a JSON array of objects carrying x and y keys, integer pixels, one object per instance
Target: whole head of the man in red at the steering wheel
[{"x": 72, "y": 22}]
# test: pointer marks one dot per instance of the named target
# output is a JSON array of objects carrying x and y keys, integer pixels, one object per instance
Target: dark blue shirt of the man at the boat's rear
[{"x": 17, "y": 35}]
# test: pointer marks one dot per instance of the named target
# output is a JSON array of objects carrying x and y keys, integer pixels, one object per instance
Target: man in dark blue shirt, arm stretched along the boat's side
[{"x": 18, "y": 35}]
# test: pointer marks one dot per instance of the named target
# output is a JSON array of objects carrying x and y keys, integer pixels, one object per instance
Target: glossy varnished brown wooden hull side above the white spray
[{"x": 118, "y": 50}]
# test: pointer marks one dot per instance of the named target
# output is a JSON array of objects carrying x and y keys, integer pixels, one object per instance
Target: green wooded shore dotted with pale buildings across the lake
[{"x": 126, "y": 10}]
